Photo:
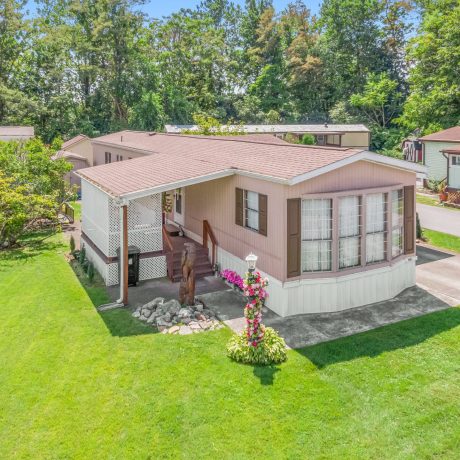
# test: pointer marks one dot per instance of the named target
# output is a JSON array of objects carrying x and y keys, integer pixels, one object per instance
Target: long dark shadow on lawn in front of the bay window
[{"x": 387, "y": 338}]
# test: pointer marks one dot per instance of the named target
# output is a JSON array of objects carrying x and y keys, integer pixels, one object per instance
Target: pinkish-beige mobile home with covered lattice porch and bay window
[{"x": 333, "y": 228}]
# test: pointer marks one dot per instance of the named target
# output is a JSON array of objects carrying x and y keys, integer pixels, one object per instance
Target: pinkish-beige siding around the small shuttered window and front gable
[{"x": 215, "y": 202}]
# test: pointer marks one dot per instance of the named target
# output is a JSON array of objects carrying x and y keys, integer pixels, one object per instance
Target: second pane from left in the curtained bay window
[{"x": 349, "y": 231}]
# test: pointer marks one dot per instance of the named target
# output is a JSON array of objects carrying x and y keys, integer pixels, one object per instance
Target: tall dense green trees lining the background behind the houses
[{"x": 92, "y": 67}]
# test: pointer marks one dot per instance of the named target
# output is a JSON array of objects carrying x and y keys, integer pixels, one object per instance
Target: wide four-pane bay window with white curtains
[{"x": 347, "y": 231}]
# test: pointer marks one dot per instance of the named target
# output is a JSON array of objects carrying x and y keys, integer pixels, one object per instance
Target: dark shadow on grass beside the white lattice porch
[{"x": 119, "y": 322}]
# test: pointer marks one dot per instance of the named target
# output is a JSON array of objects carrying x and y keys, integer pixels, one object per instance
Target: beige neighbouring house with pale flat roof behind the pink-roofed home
[{"x": 329, "y": 135}]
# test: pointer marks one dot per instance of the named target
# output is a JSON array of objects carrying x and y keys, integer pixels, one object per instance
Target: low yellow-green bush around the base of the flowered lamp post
[{"x": 271, "y": 350}]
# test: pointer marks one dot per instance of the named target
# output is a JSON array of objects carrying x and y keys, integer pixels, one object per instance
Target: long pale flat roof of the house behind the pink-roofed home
[{"x": 254, "y": 129}]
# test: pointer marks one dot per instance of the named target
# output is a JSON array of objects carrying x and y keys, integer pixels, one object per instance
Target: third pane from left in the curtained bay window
[{"x": 376, "y": 227}]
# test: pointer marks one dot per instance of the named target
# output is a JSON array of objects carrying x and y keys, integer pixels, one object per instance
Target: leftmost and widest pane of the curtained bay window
[{"x": 316, "y": 234}]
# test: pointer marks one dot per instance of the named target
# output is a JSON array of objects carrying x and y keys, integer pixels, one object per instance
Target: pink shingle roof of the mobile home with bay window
[{"x": 172, "y": 159}]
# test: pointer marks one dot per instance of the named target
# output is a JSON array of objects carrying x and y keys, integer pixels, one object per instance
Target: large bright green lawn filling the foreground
[{"x": 78, "y": 384}]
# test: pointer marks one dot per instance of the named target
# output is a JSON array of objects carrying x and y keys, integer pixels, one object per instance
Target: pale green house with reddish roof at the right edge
[{"x": 440, "y": 155}]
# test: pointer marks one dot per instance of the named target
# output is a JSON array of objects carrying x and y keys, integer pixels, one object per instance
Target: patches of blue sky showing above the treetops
[{"x": 159, "y": 8}]
